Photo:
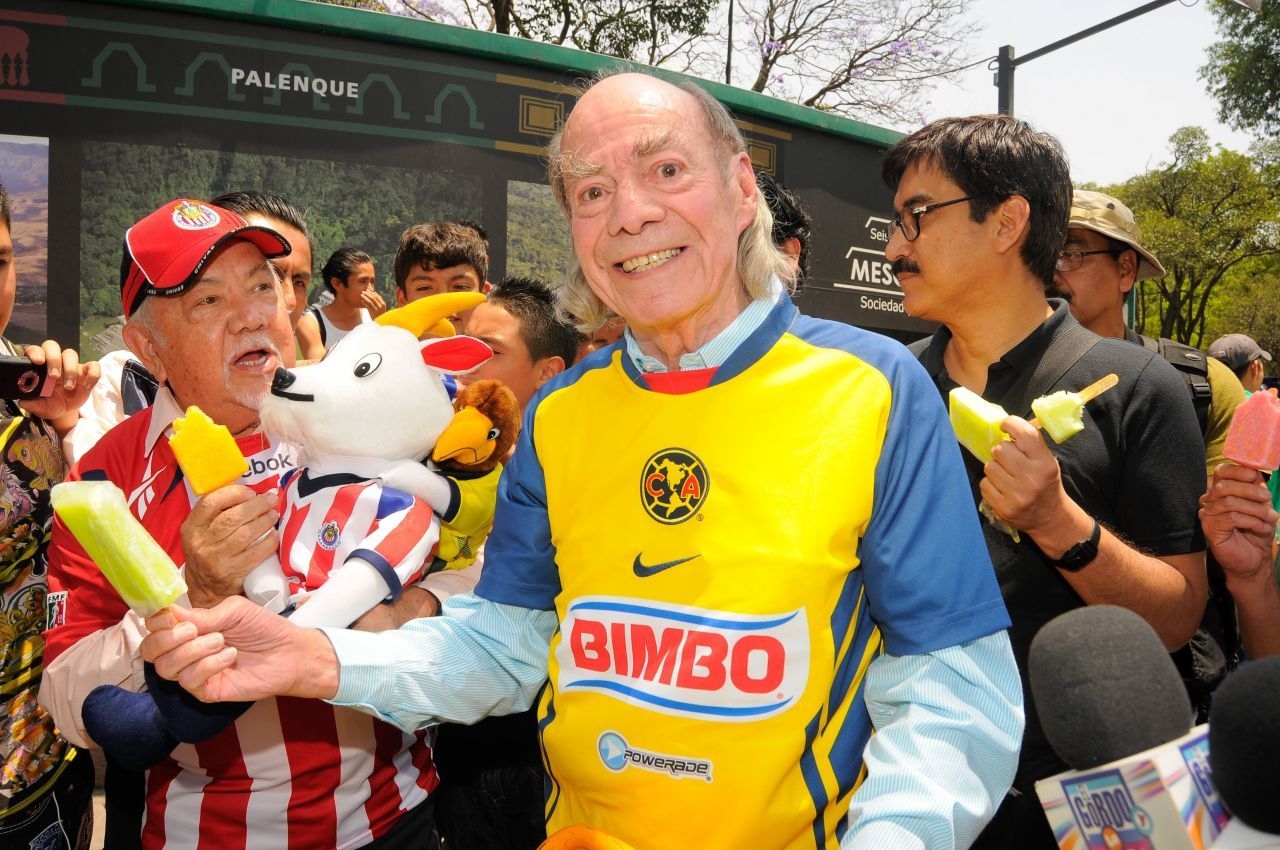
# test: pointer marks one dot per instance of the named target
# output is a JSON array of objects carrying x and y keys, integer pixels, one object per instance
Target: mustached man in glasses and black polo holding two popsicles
[{"x": 1105, "y": 518}]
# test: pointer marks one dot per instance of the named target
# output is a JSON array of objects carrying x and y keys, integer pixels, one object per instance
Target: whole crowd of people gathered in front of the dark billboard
[{"x": 816, "y": 627}]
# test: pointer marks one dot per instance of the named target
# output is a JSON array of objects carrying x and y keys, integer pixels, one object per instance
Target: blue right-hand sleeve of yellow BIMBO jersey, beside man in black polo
[{"x": 929, "y": 575}]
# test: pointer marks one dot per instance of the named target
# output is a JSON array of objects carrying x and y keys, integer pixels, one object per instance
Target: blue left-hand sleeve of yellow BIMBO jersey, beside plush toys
[{"x": 520, "y": 560}]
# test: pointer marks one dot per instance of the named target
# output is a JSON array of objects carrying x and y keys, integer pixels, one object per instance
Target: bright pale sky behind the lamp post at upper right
[{"x": 1116, "y": 98}]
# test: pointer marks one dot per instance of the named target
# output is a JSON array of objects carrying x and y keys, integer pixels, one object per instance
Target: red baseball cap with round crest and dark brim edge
[{"x": 167, "y": 252}]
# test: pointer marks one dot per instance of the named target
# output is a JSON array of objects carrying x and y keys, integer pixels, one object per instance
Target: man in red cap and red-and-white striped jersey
[{"x": 205, "y": 314}]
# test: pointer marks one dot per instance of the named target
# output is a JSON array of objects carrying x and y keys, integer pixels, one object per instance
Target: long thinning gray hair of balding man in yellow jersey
[{"x": 758, "y": 259}]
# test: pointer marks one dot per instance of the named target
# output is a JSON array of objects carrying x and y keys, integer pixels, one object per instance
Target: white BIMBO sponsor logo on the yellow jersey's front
[{"x": 684, "y": 661}]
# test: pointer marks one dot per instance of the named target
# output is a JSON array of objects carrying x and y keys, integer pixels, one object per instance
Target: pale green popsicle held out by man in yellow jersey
[{"x": 139, "y": 569}]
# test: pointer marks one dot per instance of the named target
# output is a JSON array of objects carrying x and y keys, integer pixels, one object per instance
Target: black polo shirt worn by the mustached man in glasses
[{"x": 1139, "y": 468}]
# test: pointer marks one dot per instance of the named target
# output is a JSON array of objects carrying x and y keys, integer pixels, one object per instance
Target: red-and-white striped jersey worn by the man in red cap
[{"x": 290, "y": 774}]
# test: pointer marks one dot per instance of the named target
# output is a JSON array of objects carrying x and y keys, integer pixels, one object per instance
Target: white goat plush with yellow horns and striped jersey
[{"x": 365, "y": 415}]
